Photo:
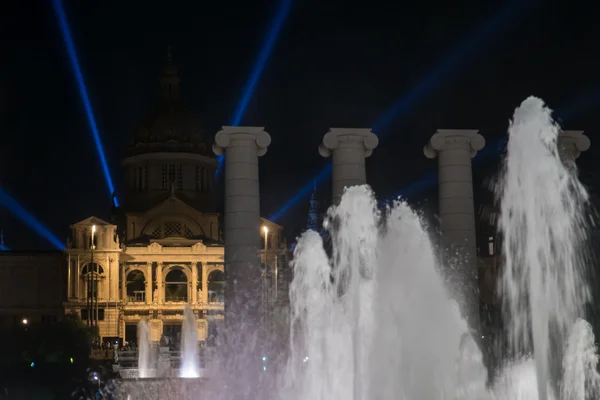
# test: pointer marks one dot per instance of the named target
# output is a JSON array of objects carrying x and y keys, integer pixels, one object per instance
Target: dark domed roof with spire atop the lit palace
[{"x": 170, "y": 124}]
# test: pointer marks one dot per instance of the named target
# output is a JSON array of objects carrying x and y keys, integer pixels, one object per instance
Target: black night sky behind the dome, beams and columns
[{"x": 335, "y": 63}]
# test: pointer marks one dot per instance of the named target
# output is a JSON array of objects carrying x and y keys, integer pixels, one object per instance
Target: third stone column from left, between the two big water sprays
[{"x": 454, "y": 149}]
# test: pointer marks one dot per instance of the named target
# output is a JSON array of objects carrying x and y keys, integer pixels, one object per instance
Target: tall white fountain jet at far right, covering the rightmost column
[{"x": 544, "y": 227}]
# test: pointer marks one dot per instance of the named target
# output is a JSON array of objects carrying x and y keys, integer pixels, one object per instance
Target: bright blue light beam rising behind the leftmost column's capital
[{"x": 259, "y": 66}]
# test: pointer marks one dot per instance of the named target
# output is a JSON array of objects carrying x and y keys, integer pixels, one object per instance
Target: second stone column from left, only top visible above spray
[{"x": 348, "y": 148}]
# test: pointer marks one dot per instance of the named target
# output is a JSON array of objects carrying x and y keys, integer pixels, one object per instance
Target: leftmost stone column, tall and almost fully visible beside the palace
[{"x": 241, "y": 147}]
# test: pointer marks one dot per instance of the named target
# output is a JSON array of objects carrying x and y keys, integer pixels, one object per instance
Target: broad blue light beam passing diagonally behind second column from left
[{"x": 408, "y": 100}]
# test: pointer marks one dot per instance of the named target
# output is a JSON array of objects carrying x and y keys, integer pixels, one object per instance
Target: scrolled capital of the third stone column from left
[{"x": 446, "y": 139}]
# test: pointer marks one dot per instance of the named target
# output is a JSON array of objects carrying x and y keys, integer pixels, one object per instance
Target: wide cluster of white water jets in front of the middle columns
[{"x": 375, "y": 321}]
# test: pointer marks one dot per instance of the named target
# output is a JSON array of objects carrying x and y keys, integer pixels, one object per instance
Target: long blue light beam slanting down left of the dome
[{"x": 68, "y": 39}]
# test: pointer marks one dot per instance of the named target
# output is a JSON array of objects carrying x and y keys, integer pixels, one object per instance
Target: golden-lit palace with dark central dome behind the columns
[{"x": 163, "y": 251}]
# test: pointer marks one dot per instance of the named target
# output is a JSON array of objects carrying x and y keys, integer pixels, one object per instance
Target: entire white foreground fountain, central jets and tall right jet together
[{"x": 374, "y": 320}]
